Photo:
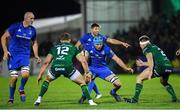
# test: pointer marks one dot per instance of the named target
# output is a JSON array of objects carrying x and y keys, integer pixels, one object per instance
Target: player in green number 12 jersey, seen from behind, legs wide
[{"x": 61, "y": 56}]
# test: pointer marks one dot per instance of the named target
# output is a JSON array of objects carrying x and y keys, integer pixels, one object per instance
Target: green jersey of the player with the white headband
[{"x": 159, "y": 58}]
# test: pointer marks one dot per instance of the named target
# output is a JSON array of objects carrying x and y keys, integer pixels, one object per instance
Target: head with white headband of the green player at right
[{"x": 143, "y": 41}]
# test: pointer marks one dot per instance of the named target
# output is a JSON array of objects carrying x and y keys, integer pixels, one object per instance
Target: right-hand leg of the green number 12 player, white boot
[{"x": 78, "y": 79}]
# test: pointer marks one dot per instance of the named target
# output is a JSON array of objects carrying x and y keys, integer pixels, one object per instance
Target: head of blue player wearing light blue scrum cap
[{"x": 98, "y": 42}]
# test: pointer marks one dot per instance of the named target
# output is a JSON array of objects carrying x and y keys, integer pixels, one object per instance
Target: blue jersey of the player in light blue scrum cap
[{"x": 98, "y": 58}]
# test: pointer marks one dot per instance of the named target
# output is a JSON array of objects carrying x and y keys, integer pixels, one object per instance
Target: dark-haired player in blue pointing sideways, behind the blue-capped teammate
[{"x": 87, "y": 39}]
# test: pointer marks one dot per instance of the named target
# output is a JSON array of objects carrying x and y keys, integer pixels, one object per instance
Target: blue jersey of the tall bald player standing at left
[{"x": 20, "y": 38}]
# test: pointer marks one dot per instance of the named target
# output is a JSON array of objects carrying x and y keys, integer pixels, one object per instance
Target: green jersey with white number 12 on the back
[{"x": 63, "y": 55}]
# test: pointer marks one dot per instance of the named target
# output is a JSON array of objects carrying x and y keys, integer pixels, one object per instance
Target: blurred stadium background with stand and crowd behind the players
[{"x": 125, "y": 20}]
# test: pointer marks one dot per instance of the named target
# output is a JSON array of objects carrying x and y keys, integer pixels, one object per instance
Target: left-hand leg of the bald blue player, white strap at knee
[{"x": 12, "y": 85}]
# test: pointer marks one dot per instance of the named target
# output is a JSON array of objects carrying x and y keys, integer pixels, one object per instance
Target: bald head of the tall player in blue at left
[{"x": 28, "y": 18}]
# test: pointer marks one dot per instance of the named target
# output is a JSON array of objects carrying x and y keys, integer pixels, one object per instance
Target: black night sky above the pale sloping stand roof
[{"x": 13, "y": 10}]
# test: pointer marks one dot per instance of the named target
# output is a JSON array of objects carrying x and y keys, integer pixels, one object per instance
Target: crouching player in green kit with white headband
[{"x": 158, "y": 65}]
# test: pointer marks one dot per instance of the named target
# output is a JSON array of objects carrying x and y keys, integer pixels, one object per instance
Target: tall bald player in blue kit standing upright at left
[{"x": 20, "y": 36}]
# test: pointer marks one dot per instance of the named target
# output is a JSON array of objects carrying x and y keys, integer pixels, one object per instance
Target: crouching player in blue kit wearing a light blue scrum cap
[{"x": 97, "y": 54}]
